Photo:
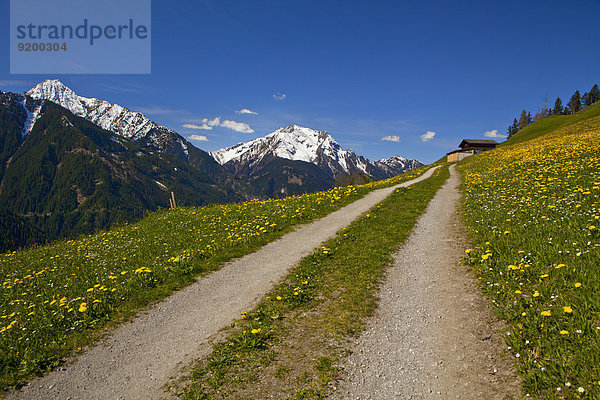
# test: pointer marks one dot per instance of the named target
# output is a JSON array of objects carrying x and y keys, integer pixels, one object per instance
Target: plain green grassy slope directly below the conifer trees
[{"x": 551, "y": 124}]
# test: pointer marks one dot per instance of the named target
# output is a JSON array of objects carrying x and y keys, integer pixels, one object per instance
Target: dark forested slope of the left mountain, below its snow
[{"x": 63, "y": 175}]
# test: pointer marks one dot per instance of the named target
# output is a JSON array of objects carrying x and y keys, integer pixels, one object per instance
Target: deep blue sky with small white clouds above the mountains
[{"x": 360, "y": 70}]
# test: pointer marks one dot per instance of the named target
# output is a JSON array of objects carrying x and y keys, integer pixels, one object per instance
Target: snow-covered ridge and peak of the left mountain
[{"x": 113, "y": 117}]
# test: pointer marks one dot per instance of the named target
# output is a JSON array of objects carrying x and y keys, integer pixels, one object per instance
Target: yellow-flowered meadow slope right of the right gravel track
[{"x": 532, "y": 209}]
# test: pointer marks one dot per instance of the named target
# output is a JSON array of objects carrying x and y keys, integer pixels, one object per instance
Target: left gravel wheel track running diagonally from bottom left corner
[{"x": 140, "y": 356}]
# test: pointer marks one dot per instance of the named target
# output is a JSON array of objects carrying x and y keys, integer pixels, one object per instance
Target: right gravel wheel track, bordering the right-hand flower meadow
[{"x": 432, "y": 336}]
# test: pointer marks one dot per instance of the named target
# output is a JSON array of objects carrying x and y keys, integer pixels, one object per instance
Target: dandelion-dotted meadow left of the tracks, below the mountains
[{"x": 57, "y": 298}]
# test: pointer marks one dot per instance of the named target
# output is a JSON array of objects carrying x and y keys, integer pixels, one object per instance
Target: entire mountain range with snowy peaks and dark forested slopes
[{"x": 71, "y": 164}]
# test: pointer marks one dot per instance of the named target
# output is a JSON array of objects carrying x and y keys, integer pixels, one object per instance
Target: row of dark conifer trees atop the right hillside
[{"x": 576, "y": 103}]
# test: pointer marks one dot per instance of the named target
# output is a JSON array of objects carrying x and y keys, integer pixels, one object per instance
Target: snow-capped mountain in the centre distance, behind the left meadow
[{"x": 305, "y": 146}]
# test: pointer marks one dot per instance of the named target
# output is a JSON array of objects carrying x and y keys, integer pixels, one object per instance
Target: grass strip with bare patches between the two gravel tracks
[{"x": 288, "y": 346}]
